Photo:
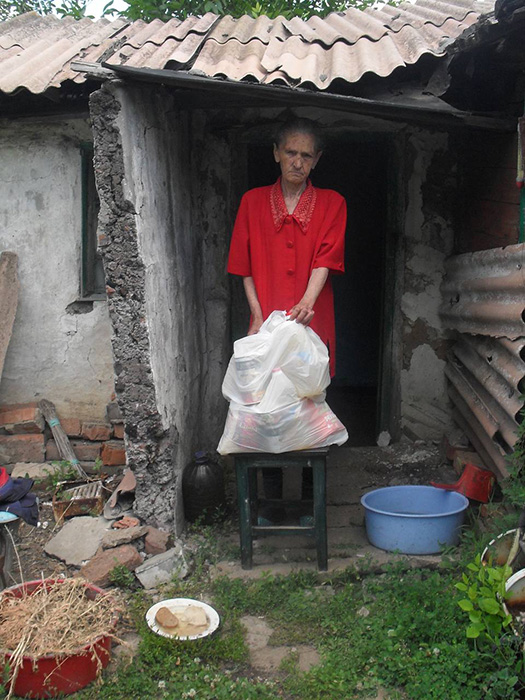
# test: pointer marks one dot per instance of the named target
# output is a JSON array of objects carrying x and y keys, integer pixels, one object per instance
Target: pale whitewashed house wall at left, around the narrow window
[{"x": 54, "y": 353}]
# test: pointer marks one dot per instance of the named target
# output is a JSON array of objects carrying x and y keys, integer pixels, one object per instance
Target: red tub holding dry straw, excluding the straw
[{"x": 60, "y": 674}]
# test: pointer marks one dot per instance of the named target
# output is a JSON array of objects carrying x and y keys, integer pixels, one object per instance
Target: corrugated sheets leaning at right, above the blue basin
[{"x": 484, "y": 299}]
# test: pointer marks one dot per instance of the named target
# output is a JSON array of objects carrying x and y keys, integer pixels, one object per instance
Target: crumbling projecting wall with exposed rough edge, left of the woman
[{"x": 164, "y": 248}]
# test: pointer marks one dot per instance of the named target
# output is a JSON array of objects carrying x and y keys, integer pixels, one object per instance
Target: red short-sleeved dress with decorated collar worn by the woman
[{"x": 280, "y": 250}]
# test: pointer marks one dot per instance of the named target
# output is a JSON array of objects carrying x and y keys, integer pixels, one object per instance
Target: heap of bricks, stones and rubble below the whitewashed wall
[{"x": 93, "y": 535}]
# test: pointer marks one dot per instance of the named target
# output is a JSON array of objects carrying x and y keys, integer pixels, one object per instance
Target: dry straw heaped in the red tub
[{"x": 56, "y": 619}]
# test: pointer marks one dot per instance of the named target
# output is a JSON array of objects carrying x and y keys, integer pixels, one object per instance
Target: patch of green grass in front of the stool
[{"x": 402, "y": 631}]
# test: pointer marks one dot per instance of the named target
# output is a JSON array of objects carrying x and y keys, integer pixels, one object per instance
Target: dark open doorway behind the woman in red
[{"x": 356, "y": 169}]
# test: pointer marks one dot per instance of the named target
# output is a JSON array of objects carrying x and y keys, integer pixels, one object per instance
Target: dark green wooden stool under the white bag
[{"x": 246, "y": 465}]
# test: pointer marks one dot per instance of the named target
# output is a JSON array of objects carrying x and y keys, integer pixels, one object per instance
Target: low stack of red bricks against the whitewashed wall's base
[{"x": 25, "y": 437}]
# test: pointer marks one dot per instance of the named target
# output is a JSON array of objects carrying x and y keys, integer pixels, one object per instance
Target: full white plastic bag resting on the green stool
[{"x": 276, "y": 383}]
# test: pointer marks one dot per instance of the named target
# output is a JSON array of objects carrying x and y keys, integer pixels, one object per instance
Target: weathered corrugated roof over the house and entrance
[{"x": 36, "y": 52}]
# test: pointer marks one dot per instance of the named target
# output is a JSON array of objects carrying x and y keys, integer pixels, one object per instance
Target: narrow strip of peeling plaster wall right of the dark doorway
[{"x": 429, "y": 216}]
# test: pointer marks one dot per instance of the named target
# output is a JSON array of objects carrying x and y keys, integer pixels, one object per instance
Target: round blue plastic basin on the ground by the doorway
[{"x": 414, "y": 519}]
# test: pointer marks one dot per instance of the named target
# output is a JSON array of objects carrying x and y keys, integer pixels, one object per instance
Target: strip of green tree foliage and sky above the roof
[{"x": 164, "y": 10}]
